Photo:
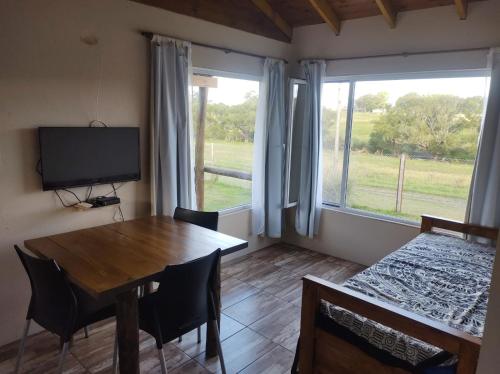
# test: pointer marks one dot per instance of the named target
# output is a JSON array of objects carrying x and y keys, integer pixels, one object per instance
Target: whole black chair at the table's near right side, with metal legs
[{"x": 185, "y": 300}]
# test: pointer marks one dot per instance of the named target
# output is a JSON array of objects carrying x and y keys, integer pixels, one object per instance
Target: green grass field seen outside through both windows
[{"x": 430, "y": 186}]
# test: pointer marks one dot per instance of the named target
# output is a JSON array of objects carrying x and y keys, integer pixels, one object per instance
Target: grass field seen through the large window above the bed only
[{"x": 405, "y": 185}]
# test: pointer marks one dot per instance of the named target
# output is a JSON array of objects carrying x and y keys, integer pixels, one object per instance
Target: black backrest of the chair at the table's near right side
[{"x": 183, "y": 300}]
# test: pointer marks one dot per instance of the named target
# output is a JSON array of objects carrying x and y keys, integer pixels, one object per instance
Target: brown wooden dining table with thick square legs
[{"x": 114, "y": 260}]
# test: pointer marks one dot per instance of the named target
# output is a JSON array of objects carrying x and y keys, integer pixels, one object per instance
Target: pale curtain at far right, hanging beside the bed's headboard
[{"x": 485, "y": 190}]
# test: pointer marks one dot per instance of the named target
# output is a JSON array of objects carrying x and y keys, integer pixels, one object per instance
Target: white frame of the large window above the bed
[{"x": 352, "y": 80}]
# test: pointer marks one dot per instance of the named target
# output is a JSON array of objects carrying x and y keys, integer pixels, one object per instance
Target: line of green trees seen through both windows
[{"x": 437, "y": 126}]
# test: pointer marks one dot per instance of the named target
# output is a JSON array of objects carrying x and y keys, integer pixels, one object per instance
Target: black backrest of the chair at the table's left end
[{"x": 53, "y": 304}]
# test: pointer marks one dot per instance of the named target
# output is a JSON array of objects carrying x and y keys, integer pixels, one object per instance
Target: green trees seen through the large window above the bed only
[{"x": 434, "y": 126}]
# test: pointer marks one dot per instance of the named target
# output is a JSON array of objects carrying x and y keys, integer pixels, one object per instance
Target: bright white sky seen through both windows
[{"x": 232, "y": 91}]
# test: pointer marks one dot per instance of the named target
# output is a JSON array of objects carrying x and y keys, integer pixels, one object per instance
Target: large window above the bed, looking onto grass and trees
[{"x": 408, "y": 147}]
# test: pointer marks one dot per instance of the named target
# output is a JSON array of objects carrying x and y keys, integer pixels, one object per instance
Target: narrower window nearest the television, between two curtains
[{"x": 224, "y": 111}]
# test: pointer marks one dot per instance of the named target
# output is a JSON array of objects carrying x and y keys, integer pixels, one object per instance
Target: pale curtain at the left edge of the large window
[{"x": 309, "y": 201}]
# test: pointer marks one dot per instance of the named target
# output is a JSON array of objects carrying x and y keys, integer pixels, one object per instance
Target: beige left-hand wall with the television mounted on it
[{"x": 49, "y": 77}]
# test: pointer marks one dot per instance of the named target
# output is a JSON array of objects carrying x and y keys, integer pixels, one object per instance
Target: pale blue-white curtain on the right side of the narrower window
[{"x": 268, "y": 171}]
